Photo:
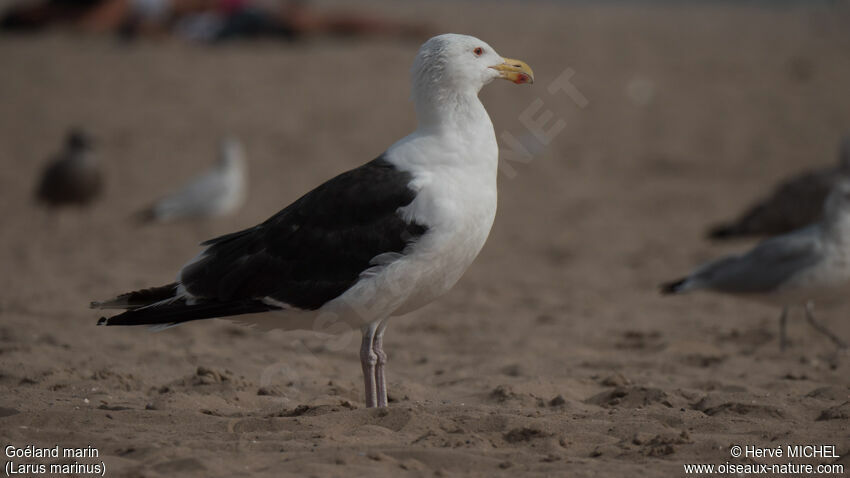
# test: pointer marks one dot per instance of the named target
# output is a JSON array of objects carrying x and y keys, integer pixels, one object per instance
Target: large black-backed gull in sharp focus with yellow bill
[{"x": 378, "y": 241}]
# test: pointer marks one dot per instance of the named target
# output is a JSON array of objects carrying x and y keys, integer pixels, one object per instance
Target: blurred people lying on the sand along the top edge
[{"x": 206, "y": 20}]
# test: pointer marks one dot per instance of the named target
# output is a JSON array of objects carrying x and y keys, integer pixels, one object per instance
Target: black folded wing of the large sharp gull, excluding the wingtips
[{"x": 316, "y": 248}]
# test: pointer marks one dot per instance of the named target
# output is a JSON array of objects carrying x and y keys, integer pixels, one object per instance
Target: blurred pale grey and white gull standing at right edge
[{"x": 807, "y": 266}]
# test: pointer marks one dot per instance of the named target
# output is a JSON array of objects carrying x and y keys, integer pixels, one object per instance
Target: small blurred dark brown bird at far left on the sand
[{"x": 72, "y": 177}]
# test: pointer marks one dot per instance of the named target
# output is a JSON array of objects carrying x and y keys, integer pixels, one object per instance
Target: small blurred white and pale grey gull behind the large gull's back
[{"x": 217, "y": 192}]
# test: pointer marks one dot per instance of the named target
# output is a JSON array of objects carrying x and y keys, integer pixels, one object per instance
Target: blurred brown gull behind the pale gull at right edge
[{"x": 795, "y": 203}]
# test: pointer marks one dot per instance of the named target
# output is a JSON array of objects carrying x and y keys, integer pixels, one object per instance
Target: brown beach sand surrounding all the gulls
[{"x": 553, "y": 356}]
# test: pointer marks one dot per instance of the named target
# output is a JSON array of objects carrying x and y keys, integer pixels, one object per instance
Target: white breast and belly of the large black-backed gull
[{"x": 455, "y": 184}]
